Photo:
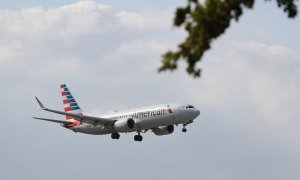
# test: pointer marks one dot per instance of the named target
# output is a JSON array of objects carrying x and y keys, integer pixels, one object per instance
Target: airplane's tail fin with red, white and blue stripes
[{"x": 70, "y": 105}]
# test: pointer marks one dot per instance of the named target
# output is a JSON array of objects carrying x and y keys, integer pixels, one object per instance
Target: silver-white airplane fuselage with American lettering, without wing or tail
[{"x": 145, "y": 118}]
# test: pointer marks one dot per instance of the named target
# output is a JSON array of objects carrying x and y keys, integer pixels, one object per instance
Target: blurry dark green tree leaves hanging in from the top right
[{"x": 205, "y": 22}]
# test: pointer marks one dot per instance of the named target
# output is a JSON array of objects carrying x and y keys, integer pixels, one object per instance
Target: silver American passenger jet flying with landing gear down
[{"x": 160, "y": 119}]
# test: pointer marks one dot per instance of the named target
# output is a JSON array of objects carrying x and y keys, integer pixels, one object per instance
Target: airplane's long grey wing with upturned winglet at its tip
[{"x": 79, "y": 117}]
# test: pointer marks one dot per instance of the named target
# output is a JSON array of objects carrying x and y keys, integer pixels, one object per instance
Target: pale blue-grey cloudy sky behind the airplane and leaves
[{"x": 108, "y": 53}]
